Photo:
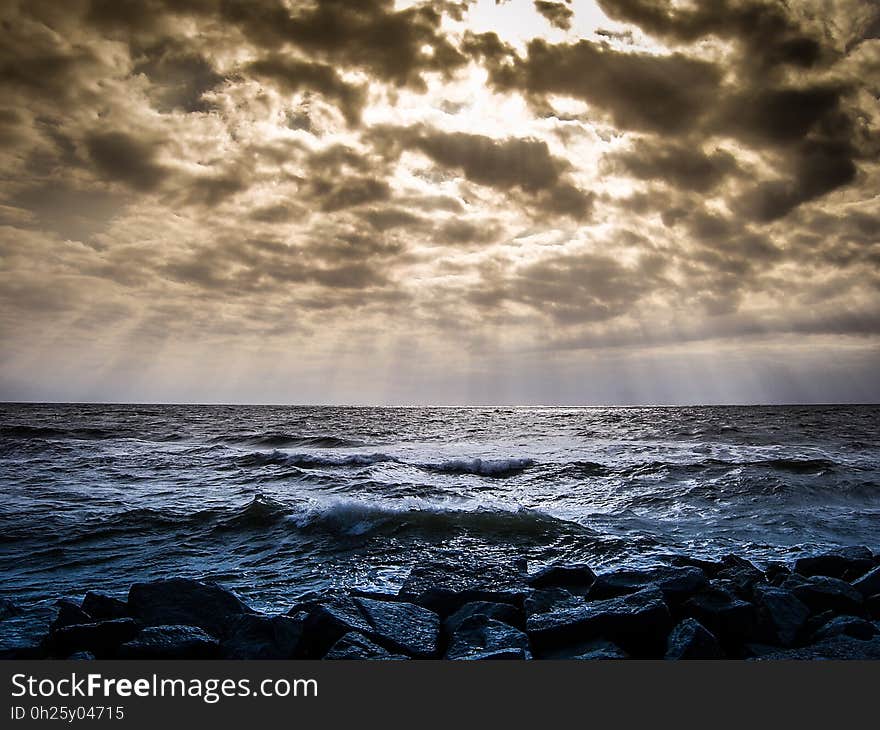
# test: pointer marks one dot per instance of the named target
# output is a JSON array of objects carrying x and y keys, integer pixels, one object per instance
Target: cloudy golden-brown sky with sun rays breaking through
[{"x": 379, "y": 202}]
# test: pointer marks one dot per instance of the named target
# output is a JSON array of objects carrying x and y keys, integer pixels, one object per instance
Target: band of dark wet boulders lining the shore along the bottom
[{"x": 820, "y": 607}]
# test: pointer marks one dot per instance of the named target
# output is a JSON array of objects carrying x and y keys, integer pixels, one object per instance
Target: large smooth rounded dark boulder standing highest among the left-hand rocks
[{"x": 184, "y": 602}]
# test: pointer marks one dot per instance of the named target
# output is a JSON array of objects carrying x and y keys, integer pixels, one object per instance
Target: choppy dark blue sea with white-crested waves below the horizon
[{"x": 275, "y": 502}]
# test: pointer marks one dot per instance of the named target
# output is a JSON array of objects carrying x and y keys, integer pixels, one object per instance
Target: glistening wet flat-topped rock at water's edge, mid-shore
[{"x": 446, "y": 587}]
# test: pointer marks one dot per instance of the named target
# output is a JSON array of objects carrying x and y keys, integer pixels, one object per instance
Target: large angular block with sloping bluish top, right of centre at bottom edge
[{"x": 638, "y": 622}]
